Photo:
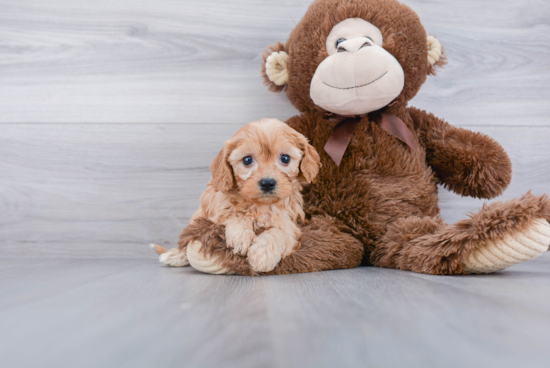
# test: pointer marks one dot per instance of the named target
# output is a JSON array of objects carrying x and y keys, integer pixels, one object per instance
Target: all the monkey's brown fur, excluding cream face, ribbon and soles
[{"x": 380, "y": 206}]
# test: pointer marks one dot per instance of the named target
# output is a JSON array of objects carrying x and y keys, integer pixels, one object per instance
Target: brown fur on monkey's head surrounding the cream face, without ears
[{"x": 404, "y": 38}]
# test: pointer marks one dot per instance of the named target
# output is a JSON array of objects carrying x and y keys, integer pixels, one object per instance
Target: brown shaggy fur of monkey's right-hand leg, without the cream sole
[{"x": 428, "y": 245}]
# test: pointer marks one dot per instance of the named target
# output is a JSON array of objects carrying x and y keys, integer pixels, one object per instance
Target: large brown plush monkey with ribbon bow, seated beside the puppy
[{"x": 350, "y": 67}]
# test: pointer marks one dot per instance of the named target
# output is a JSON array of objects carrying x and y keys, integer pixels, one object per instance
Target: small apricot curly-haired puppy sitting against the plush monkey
[{"x": 255, "y": 192}]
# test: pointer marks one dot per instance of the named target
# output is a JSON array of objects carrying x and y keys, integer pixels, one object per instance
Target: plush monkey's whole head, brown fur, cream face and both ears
[{"x": 353, "y": 57}]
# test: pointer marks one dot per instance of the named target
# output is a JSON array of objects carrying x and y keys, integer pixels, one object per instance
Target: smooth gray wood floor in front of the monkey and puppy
[{"x": 135, "y": 313}]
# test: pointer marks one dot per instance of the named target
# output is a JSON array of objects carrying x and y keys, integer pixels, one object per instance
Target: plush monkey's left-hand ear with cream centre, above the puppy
[{"x": 275, "y": 67}]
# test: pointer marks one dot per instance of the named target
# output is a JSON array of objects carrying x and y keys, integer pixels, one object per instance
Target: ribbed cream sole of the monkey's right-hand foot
[{"x": 512, "y": 249}]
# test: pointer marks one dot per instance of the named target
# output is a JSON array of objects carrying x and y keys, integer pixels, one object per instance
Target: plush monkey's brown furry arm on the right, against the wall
[{"x": 468, "y": 163}]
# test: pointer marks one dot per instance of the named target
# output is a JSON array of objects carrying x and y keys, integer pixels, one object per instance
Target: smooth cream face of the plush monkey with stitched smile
[{"x": 358, "y": 76}]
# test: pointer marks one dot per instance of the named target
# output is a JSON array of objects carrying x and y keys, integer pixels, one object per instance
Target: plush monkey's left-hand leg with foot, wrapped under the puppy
[{"x": 323, "y": 247}]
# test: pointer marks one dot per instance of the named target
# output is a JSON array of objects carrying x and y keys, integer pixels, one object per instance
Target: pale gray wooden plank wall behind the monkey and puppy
[{"x": 111, "y": 110}]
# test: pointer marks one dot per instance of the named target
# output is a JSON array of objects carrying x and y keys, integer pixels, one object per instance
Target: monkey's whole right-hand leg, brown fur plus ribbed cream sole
[{"x": 498, "y": 236}]
